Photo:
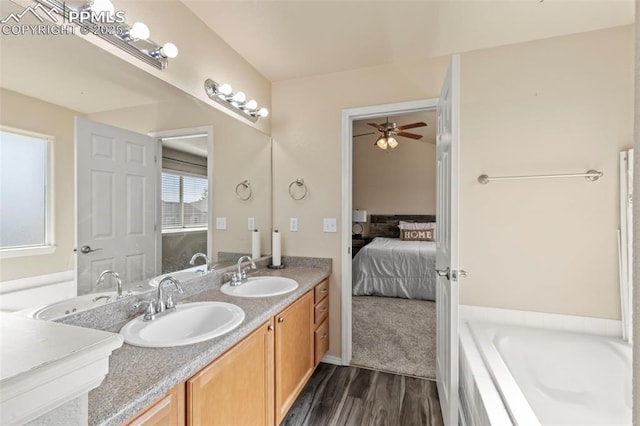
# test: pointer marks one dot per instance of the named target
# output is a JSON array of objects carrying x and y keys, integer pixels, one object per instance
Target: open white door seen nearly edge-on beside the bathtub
[{"x": 447, "y": 246}]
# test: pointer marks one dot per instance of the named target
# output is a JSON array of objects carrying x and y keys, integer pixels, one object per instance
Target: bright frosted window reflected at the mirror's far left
[{"x": 24, "y": 190}]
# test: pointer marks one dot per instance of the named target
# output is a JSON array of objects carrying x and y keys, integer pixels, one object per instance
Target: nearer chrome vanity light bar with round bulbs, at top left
[{"x": 131, "y": 39}]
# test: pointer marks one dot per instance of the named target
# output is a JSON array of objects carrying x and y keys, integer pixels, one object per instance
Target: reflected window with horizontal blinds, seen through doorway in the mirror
[{"x": 185, "y": 201}]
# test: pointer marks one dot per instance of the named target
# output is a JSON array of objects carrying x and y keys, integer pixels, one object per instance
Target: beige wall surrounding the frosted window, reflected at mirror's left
[{"x": 31, "y": 114}]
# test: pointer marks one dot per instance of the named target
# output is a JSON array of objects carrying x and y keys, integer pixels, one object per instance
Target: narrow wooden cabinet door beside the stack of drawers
[{"x": 294, "y": 352}]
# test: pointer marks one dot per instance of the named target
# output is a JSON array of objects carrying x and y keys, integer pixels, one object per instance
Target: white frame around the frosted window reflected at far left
[{"x": 49, "y": 244}]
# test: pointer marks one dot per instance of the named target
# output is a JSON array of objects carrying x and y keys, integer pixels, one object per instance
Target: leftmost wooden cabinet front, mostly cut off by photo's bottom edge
[{"x": 167, "y": 411}]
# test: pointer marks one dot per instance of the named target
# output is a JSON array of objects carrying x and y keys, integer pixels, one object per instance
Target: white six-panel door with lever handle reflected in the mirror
[{"x": 116, "y": 204}]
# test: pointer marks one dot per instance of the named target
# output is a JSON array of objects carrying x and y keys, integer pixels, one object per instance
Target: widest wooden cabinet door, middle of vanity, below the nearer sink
[{"x": 237, "y": 388}]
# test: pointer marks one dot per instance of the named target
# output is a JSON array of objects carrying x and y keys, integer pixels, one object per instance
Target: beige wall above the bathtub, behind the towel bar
[{"x": 563, "y": 105}]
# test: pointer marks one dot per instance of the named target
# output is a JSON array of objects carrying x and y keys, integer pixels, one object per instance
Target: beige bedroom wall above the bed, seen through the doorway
[{"x": 402, "y": 181}]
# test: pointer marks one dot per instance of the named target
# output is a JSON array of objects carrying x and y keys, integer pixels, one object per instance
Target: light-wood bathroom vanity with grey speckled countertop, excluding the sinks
[{"x": 251, "y": 375}]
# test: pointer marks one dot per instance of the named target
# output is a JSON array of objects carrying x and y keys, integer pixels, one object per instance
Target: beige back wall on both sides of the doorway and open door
[{"x": 555, "y": 105}]
